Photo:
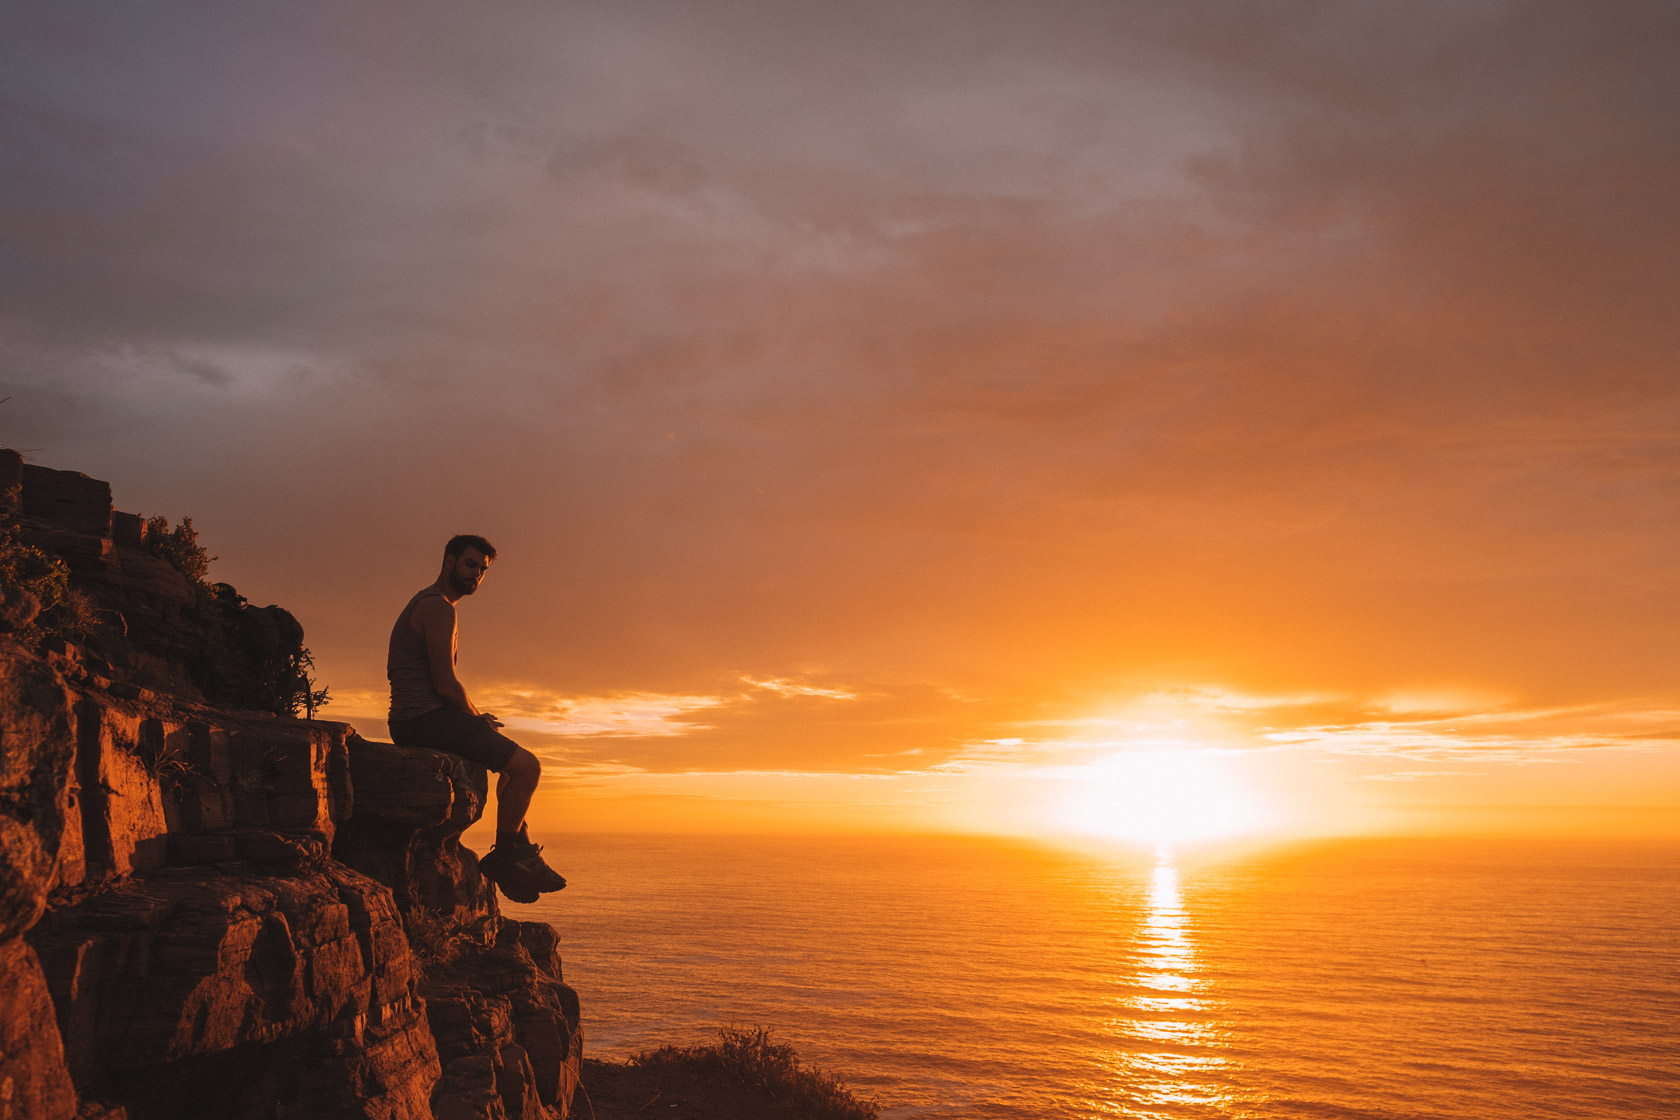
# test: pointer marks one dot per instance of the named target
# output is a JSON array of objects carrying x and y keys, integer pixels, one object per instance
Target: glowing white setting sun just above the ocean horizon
[{"x": 1162, "y": 798}]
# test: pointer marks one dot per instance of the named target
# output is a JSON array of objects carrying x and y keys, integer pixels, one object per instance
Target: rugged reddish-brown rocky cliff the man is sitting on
[{"x": 221, "y": 913}]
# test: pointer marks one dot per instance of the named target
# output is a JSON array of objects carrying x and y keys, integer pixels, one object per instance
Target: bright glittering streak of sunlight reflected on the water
[{"x": 1170, "y": 1047}]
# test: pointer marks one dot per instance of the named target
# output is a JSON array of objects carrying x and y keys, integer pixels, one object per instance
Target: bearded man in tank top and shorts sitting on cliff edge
[{"x": 433, "y": 709}]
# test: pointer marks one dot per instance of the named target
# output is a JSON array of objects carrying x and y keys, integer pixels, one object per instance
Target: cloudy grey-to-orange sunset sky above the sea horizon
[{"x": 1125, "y": 421}]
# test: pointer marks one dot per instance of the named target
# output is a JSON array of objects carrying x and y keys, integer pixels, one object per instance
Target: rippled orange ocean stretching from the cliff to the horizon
[{"x": 989, "y": 980}]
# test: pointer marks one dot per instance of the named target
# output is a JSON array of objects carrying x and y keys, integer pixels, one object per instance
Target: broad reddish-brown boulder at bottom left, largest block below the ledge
[{"x": 182, "y": 987}]
